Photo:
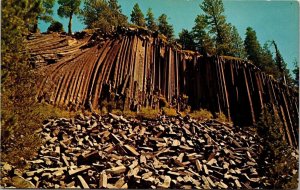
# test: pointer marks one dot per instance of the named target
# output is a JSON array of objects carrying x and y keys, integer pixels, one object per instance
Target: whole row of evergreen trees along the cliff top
[{"x": 211, "y": 34}]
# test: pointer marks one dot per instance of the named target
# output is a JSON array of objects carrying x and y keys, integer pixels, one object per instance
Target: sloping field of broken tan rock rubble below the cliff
[{"x": 114, "y": 152}]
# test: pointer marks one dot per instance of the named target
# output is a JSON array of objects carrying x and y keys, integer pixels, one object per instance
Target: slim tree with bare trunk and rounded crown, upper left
[{"x": 69, "y": 8}]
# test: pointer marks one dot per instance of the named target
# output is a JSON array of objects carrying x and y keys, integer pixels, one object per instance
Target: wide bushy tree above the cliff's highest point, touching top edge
[{"x": 103, "y": 15}]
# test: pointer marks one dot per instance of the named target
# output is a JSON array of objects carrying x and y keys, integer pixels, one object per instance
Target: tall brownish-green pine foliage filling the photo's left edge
[{"x": 17, "y": 81}]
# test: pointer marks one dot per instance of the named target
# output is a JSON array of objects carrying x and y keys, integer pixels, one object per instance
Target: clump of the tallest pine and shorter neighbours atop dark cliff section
[{"x": 213, "y": 35}]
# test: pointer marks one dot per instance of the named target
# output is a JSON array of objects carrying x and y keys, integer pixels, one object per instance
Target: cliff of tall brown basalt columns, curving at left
[{"x": 136, "y": 68}]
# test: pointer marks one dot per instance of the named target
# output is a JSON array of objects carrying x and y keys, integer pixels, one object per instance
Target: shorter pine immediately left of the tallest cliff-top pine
[{"x": 203, "y": 41}]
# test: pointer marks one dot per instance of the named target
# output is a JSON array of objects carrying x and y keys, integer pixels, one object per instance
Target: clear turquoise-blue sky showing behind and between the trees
[{"x": 271, "y": 19}]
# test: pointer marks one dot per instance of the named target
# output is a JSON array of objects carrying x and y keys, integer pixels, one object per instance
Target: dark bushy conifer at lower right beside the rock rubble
[{"x": 276, "y": 160}]
